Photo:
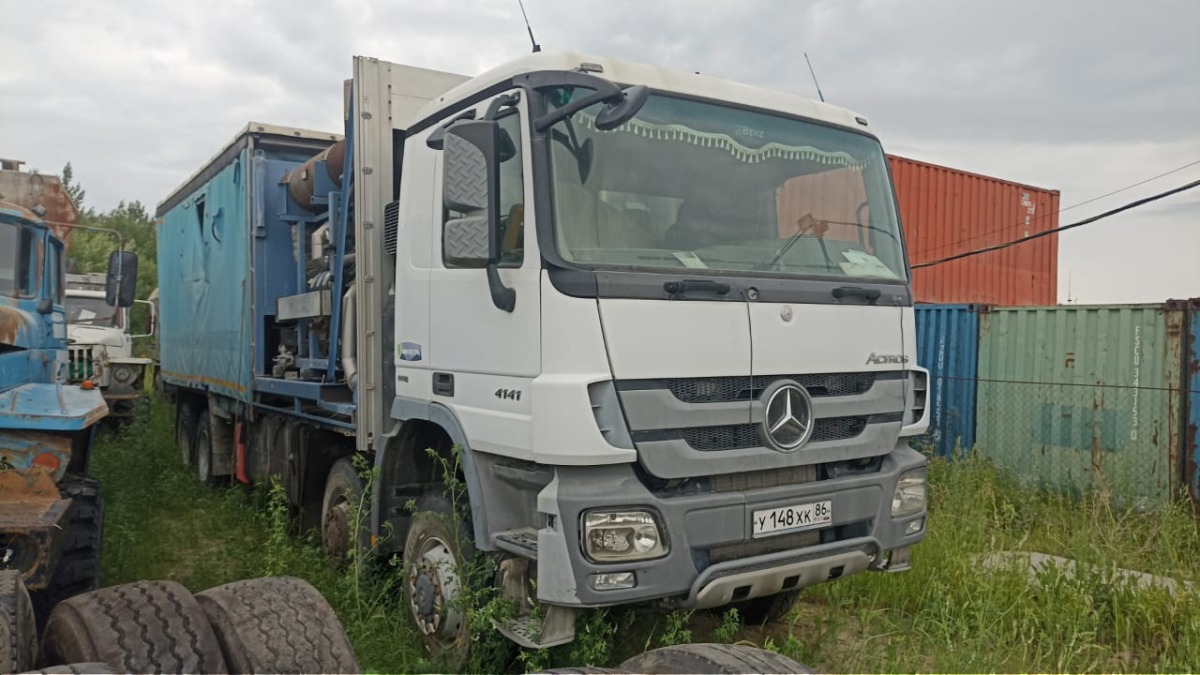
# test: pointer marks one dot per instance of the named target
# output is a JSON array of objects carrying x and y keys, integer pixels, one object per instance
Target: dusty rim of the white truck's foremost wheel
[{"x": 434, "y": 592}]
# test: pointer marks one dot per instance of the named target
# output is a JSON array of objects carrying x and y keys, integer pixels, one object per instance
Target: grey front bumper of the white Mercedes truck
[{"x": 713, "y": 559}]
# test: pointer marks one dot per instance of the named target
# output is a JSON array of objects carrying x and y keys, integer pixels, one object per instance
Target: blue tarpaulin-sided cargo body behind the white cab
[{"x": 225, "y": 261}]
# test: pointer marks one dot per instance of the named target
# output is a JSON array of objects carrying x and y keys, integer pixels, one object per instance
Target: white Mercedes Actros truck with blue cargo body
[{"x": 662, "y": 322}]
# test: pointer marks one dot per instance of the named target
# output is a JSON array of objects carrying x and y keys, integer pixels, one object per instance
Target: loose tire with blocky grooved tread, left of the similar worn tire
[{"x": 140, "y": 628}]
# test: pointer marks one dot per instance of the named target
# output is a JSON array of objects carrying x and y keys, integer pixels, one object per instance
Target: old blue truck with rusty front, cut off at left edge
[{"x": 51, "y": 512}]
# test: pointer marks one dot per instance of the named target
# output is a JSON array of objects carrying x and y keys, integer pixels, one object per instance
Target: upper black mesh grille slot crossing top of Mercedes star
[{"x": 724, "y": 390}]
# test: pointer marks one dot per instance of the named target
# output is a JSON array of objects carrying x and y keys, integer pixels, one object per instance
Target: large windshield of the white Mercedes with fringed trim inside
[{"x": 688, "y": 184}]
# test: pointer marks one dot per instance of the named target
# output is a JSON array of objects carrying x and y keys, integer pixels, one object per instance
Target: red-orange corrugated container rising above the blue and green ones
[{"x": 947, "y": 212}]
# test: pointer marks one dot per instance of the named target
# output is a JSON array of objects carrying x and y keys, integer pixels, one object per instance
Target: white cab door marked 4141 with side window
[{"x": 484, "y": 359}]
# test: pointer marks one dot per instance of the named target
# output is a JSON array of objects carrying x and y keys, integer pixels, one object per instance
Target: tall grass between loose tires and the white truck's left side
[{"x": 161, "y": 523}]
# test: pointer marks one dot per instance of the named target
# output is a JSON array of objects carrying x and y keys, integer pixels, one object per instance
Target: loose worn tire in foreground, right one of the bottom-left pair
[{"x": 278, "y": 625}]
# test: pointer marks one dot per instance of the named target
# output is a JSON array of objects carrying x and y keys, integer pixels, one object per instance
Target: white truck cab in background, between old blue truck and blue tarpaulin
[{"x": 101, "y": 344}]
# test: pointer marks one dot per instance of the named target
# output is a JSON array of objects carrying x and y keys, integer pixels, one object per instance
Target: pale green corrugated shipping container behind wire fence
[{"x": 1085, "y": 398}]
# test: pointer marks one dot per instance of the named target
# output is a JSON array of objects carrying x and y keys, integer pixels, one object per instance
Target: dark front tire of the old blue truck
[{"x": 79, "y": 569}]
